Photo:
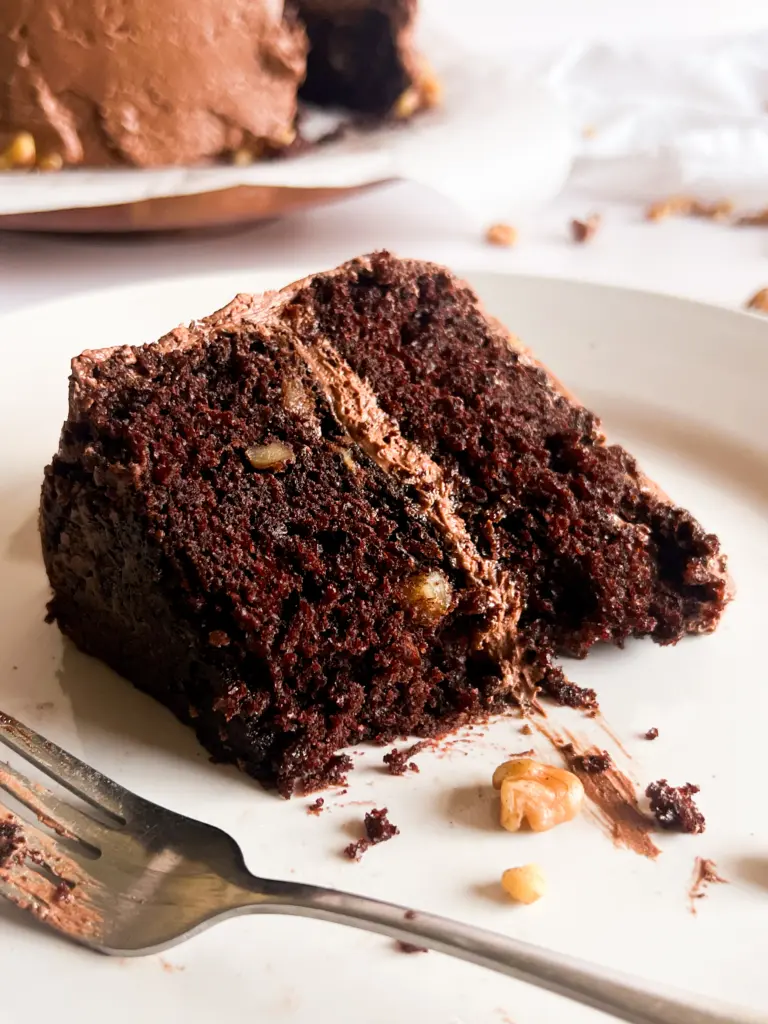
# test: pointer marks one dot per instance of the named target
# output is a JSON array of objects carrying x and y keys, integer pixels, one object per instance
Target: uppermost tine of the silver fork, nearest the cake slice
[{"x": 79, "y": 778}]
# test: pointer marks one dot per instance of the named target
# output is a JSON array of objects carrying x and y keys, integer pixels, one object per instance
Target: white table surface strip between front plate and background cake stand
[{"x": 697, "y": 260}]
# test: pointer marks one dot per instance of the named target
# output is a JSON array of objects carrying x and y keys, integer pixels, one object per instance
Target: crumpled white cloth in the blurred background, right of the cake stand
[{"x": 660, "y": 118}]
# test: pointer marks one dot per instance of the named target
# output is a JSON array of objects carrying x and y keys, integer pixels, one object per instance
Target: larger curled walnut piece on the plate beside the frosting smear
[{"x": 542, "y": 795}]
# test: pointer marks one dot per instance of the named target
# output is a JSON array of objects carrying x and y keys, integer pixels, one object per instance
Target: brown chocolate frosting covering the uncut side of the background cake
[{"x": 149, "y": 83}]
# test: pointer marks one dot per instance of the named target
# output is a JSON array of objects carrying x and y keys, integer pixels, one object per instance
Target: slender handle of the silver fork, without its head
[{"x": 620, "y": 996}]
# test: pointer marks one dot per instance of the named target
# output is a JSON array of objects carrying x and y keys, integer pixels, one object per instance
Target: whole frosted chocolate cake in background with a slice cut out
[{"x": 150, "y": 83}]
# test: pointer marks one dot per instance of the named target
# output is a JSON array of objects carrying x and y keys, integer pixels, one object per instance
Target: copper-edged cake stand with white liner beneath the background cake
[{"x": 499, "y": 146}]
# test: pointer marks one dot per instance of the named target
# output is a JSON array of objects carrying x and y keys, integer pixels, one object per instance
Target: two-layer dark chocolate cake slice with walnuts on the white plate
[{"x": 351, "y": 510}]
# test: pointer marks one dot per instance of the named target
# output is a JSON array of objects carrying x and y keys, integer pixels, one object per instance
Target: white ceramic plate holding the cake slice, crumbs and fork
[{"x": 684, "y": 386}]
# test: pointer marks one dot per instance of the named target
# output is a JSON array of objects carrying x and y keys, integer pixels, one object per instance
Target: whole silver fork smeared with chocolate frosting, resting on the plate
[{"x": 152, "y": 878}]
